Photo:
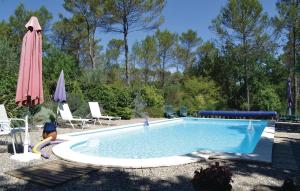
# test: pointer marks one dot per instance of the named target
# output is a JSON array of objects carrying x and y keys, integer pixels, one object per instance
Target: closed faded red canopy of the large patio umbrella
[{"x": 30, "y": 87}]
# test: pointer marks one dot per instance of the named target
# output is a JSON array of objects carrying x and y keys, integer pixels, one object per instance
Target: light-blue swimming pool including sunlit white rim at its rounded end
[{"x": 186, "y": 139}]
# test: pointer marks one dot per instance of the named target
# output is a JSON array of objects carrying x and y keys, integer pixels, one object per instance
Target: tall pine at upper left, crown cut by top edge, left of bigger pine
[{"x": 91, "y": 13}]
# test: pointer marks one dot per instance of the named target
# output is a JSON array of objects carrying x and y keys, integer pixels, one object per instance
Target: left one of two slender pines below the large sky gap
[{"x": 166, "y": 43}]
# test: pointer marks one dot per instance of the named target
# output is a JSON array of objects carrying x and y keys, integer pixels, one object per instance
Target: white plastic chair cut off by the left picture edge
[{"x": 6, "y": 128}]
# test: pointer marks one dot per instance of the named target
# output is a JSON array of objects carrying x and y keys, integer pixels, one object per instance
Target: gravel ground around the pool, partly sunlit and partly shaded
[{"x": 246, "y": 176}]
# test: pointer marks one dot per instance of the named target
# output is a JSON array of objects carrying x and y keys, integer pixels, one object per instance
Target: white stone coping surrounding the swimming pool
[{"x": 262, "y": 152}]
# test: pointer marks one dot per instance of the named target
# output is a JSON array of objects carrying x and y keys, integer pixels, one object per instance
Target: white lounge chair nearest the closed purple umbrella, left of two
[{"x": 66, "y": 115}]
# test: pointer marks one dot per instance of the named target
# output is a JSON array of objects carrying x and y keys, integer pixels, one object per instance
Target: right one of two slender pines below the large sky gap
[{"x": 186, "y": 49}]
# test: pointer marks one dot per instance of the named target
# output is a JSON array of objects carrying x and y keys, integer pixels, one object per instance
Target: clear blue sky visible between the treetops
[{"x": 180, "y": 15}]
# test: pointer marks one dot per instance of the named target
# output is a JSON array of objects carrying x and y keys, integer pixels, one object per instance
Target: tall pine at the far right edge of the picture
[{"x": 288, "y": 22}]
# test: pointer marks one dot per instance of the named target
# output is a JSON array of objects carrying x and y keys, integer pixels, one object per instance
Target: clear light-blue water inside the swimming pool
[{"x": 178, "y": 138}]
